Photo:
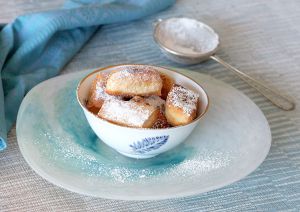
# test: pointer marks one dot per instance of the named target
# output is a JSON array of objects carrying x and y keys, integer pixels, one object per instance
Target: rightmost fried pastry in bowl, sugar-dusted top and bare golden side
[{"x": 181, "y": 105}]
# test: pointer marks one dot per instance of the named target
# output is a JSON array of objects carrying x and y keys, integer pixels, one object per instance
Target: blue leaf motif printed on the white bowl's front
[{"x": 149, "y": 144}]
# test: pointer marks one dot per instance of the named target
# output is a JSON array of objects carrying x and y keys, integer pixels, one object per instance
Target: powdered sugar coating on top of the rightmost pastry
[{"x": 183, "y": 98}]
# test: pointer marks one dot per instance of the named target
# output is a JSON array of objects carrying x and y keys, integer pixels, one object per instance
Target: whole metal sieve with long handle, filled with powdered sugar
[{"x": 189, "y": 41}]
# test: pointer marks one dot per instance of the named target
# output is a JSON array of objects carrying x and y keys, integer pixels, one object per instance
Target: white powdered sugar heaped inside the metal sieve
[{"x": 187, "y": 36}]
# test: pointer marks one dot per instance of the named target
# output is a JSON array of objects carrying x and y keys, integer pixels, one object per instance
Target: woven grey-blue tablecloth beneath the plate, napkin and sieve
[{"x": 262, "y": 38}]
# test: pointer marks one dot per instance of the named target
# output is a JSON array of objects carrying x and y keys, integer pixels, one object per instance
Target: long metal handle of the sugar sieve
[{"x": 274, "y": 96}]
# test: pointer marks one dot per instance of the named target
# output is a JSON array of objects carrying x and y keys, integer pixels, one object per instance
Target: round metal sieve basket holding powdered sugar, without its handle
[{"x": 185, "y": 40}]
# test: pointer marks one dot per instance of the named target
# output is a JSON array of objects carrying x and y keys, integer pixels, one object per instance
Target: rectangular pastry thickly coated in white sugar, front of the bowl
[{"x": 129, "y": 113}]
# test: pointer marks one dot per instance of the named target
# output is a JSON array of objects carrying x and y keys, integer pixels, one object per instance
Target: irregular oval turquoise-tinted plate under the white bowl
[{"x": 55, "y": 139}]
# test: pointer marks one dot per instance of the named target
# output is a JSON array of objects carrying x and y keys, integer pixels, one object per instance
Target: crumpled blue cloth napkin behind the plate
[{"x": 36, "y": 46}]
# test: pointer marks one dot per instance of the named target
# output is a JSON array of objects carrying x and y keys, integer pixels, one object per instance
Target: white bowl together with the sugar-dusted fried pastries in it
[{"x": 142, "y": 124}]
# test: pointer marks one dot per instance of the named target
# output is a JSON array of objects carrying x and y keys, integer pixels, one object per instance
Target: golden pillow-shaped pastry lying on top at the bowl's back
[{"x": 133, "y": 81}]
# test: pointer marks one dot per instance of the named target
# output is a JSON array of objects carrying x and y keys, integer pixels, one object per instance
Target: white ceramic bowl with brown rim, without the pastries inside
[{"x": 140, "y": 142}]
